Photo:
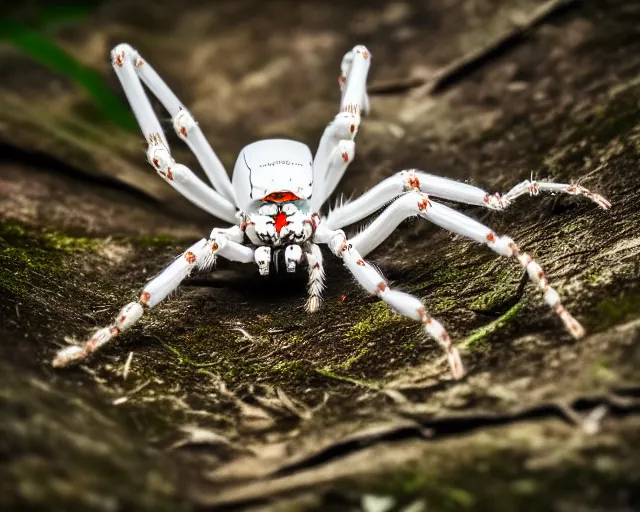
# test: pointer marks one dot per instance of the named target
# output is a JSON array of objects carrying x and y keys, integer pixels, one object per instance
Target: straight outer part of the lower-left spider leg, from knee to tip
[{"x": 154, "y": 292}]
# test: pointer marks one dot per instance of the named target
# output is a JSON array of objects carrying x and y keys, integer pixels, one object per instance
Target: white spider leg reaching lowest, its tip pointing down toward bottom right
[{"x": 372, "y": 281}]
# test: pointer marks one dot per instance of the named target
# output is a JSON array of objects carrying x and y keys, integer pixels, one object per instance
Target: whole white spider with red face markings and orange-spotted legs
[{"x": 276, "y": 194}]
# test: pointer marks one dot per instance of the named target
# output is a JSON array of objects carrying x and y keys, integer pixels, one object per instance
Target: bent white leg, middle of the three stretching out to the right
[{"x": 417, "y": 203}]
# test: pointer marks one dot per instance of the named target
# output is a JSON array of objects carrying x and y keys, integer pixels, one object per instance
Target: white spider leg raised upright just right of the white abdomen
[{"x": 336, "y": 148}]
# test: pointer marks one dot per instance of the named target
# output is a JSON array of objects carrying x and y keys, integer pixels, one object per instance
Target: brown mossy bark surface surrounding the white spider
[{"x": 235, "y": 396}]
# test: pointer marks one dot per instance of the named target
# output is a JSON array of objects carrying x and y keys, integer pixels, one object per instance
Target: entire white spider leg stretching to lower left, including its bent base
[{"x": 200, "y": 255}]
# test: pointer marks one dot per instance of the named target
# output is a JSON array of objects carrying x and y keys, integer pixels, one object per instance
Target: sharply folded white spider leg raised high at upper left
[{"x": 132, "y": 71}]
